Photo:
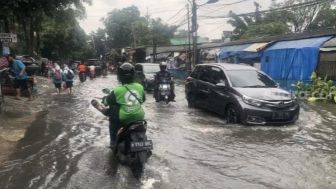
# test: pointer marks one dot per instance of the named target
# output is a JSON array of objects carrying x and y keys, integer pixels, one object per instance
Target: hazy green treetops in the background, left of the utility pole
[{"x": 127, "y": 28}]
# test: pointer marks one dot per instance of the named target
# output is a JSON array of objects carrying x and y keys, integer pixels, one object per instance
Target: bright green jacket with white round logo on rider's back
[{"x": 130, "y": 107}]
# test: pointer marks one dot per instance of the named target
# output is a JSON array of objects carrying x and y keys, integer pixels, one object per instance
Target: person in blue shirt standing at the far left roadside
[{"x": 21, "y": 78}]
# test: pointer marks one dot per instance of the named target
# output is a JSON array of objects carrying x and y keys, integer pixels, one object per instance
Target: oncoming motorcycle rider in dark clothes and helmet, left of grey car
[{"x": 163, "y": 74}]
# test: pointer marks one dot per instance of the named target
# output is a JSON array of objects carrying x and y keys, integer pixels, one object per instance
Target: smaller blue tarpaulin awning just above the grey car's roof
[{"x": 237, "y": 51}]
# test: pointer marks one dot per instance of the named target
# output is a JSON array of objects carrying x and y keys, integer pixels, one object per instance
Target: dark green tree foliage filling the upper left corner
[{"x": 47, "y": 27}]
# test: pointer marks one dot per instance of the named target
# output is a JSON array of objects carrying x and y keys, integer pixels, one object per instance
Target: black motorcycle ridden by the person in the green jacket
[{"x": 132, "y": 148}]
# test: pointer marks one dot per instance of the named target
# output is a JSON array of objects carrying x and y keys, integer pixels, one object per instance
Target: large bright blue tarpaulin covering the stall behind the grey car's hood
[{"x": 292, "y": 60}]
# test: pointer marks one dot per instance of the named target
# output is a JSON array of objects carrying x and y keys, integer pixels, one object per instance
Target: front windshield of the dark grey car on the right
[{"x": 250, "y": 79}]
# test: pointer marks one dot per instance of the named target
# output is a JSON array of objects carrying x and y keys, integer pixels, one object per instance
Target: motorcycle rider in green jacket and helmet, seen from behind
[{"x": 124, "y": 102}]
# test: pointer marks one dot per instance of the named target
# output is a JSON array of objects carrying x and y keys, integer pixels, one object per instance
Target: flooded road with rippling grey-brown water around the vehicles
[{"x": 67, "y": 147}]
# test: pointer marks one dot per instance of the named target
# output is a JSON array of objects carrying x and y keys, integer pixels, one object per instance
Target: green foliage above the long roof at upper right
[{"x": 299, "y": 19}]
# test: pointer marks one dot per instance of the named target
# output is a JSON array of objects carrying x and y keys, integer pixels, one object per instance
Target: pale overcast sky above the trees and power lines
[{"x": 166, "y": 9}]
